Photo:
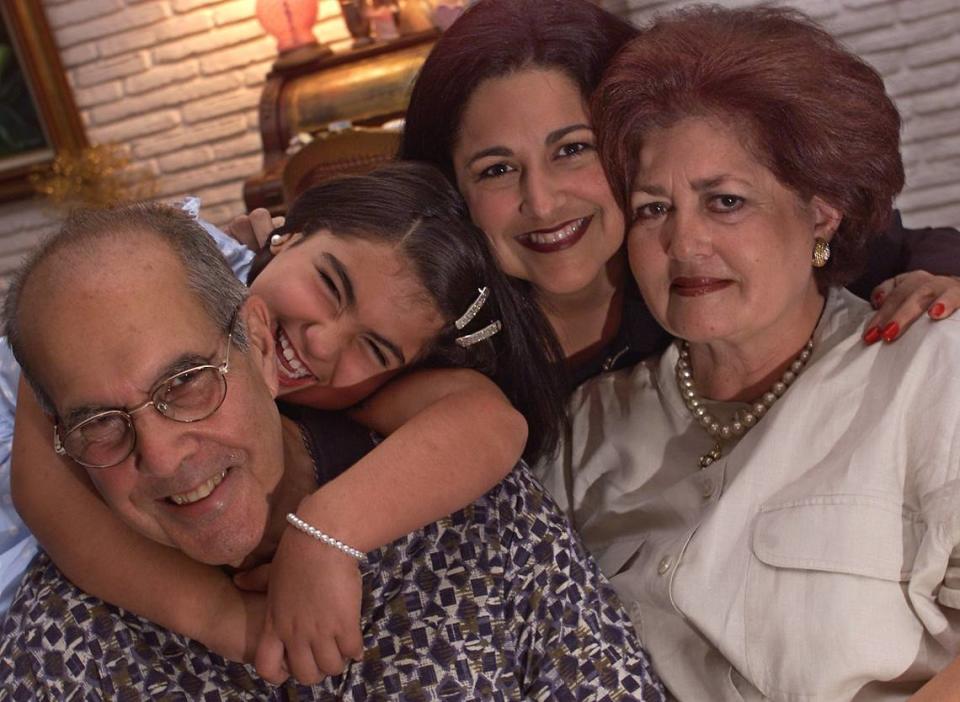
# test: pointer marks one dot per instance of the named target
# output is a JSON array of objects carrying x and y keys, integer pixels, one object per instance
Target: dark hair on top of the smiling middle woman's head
[{"x": 494, "y": 38}]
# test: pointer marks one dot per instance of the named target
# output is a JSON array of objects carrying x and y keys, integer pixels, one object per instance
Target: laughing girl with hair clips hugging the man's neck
[{"x": 369, "y": 274}]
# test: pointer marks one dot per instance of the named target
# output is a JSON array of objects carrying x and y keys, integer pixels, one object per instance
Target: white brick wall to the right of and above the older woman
[{"x": 915, "y": 44}]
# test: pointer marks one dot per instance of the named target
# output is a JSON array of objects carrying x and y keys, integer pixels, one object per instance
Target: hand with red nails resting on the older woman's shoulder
[{"x": 904, "y": 298}]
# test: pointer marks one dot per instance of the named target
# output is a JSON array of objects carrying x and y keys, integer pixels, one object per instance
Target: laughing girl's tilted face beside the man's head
[{"x": 349, "y": 314}]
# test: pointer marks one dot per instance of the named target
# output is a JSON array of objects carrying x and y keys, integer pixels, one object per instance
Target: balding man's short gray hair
[{"x": 208, "y": 276}]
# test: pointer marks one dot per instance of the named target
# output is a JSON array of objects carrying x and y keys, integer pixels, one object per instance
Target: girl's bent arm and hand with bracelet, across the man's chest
[{"x": 453, "y": 436}]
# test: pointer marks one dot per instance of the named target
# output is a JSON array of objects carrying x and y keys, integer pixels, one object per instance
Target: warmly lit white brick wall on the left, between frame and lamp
[{"x": 177, "y": 83}]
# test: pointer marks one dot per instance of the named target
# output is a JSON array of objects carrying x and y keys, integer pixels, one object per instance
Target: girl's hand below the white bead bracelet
[{"x": 313, "y": 612}]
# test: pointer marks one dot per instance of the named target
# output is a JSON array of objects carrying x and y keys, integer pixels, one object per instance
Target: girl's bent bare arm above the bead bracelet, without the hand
[{"x": 451, "y": 436}]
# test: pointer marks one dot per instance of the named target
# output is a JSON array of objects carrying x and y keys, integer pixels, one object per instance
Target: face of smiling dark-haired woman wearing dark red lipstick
[{"x": 528, "y": 168}]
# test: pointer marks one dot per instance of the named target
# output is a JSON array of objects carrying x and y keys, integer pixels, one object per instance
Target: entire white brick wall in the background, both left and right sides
[{"x": 177, "y": 82}]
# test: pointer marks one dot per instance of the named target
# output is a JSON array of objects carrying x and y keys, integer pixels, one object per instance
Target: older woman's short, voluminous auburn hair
[{"x": 817, "y": 116}]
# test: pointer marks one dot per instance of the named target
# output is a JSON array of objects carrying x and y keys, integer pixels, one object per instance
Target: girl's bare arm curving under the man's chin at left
[{"x": 103, "y": 556}]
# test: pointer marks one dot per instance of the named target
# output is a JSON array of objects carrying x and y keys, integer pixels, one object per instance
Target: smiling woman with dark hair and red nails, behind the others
[{"x": 500, "y": 106}]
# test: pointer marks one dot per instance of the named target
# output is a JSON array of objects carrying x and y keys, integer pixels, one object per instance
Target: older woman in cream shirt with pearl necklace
[{"x": 776, "y": 502}]
